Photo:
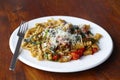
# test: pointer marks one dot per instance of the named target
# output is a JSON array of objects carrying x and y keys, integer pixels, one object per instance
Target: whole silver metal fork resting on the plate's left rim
[{"x": 21, "y": 32}]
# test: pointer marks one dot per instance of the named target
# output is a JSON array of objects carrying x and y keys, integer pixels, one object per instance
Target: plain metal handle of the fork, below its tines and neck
[{"x": 15, "y": 55}]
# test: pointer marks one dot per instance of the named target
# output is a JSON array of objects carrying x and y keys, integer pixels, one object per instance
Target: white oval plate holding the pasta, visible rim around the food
[{"x": 84, "y": 63}]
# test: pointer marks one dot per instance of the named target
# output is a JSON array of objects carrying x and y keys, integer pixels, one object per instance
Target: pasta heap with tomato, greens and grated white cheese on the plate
[{"x": 61, "y": 41}]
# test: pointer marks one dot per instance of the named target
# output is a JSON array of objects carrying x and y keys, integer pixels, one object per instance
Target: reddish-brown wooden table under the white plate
[{"x": 103, "y": 12}]
